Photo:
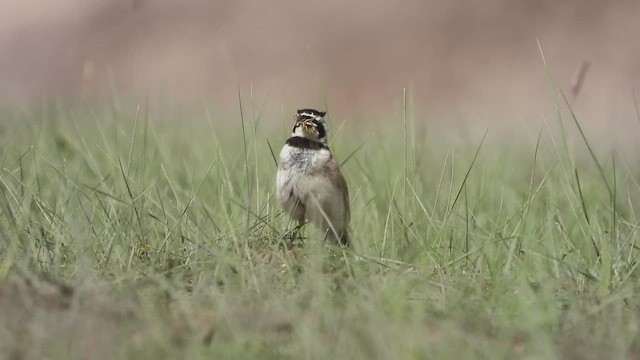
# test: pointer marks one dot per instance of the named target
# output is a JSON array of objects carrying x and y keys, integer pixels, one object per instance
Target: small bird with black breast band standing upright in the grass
[{"x": 309, "y": 183}]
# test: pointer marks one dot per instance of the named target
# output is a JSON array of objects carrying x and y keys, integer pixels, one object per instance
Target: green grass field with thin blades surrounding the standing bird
[{"x": 149, "y": 231}]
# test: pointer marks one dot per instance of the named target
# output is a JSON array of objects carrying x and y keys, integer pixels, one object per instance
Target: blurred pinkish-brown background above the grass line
[{"x": 466, "y": 59}]
